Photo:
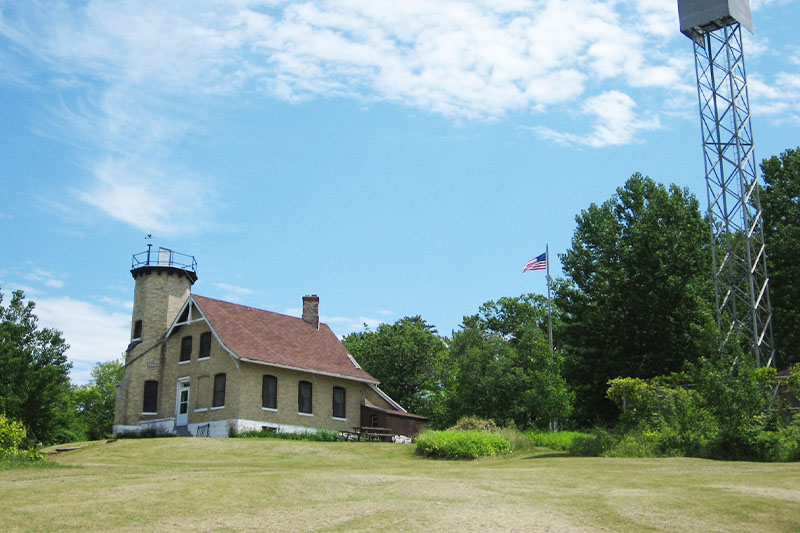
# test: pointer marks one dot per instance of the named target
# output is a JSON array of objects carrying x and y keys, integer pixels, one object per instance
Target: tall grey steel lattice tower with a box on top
[{"x": 741, "y": 282}]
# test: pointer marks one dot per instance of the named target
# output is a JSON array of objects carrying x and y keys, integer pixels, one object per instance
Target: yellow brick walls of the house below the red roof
[{"x": 243, "y": 388}]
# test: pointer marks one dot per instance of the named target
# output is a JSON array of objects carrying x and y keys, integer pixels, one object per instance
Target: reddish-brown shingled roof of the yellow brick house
[{"x": 282, "y": 340}]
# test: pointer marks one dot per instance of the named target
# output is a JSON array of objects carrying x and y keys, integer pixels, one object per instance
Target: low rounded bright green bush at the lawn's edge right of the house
[{"x": 460, "y": 444}]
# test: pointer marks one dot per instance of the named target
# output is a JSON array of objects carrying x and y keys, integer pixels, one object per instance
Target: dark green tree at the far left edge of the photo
[{"x": 34, "y": 373}]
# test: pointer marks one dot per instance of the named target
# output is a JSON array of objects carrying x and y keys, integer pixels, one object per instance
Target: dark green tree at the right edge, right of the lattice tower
[{"x": 780, "y": 201}]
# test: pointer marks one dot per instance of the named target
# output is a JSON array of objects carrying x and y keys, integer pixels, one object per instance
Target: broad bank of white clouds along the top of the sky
[{"x": 471, "y": 59}]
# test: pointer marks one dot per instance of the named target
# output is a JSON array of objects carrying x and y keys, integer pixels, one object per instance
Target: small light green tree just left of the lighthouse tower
[{"x": 94, "y": 402}]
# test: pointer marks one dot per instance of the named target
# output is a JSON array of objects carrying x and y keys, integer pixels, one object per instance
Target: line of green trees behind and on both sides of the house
[{"x": 636, "y": 301}]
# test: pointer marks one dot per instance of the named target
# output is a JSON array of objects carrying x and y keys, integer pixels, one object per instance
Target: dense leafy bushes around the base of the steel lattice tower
[{"x": 720, "y": 408}]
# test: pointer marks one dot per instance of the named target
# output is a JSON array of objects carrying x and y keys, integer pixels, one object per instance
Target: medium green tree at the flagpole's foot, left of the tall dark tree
[{"x": 503, "y": 368}]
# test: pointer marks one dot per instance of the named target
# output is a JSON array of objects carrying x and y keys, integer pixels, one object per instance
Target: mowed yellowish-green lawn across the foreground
[{"x": 265, "y": 484}]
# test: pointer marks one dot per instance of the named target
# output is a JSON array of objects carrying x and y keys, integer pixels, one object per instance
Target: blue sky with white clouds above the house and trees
[{"x": 395, "y": 158}]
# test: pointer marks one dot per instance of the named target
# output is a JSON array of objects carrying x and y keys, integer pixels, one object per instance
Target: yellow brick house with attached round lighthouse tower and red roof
[{"x": 200, "y": 363}]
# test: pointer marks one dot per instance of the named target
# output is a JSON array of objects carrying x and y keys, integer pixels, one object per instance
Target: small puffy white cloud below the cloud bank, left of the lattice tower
[{"x": 615, "y": 122}]
